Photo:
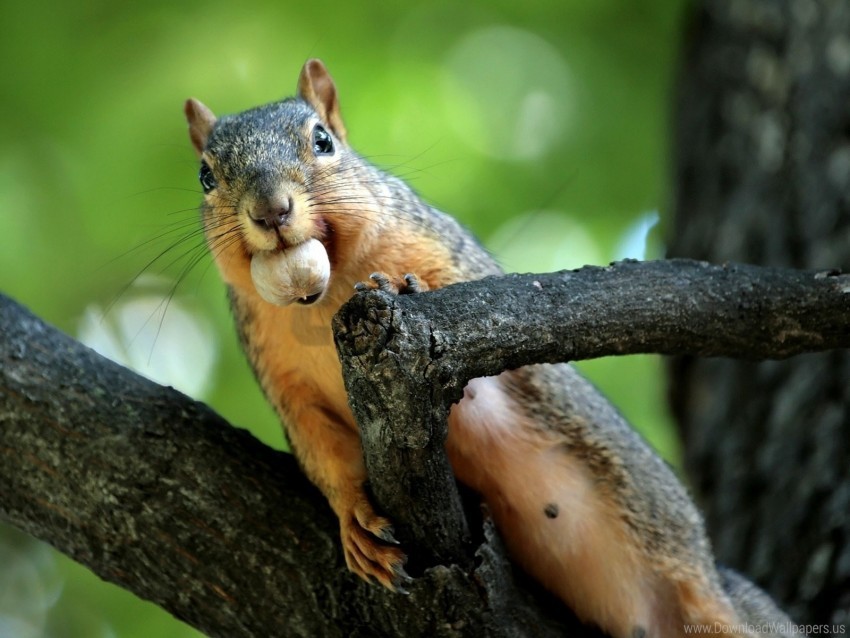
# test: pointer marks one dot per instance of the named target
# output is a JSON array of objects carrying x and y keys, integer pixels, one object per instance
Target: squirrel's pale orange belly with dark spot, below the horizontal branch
[{"x": 583, "y": 553}]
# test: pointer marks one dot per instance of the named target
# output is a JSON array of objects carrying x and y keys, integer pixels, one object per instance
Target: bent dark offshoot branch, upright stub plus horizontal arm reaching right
[{"x": 406, "y": 359}]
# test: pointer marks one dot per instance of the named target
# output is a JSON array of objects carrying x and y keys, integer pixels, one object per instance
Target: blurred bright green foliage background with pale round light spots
[{"x": 543, "y": 125}]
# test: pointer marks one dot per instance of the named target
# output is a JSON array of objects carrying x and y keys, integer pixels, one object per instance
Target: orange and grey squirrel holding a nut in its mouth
[{"x": 582, "y": 502}]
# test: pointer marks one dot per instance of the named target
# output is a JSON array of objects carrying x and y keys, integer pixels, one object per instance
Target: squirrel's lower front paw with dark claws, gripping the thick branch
[{"x": 370, "y": 549}]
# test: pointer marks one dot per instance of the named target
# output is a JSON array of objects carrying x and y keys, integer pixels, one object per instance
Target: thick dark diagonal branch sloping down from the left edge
[{"x": 156, "y": 493}]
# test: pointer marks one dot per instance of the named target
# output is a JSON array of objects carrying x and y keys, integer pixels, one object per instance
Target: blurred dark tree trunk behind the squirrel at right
[{"x": 763, "y": 175}]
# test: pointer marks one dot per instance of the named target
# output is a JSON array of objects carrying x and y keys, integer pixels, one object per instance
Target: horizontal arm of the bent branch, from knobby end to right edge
[{"x": 675, "y": 306}]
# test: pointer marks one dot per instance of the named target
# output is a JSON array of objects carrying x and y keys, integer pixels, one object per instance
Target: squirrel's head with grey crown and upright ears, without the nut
[{"x": 273, "y": 176}]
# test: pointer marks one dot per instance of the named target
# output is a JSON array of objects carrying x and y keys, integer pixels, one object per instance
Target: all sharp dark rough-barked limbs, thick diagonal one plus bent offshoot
[{"x": 157, "y": 494}]
